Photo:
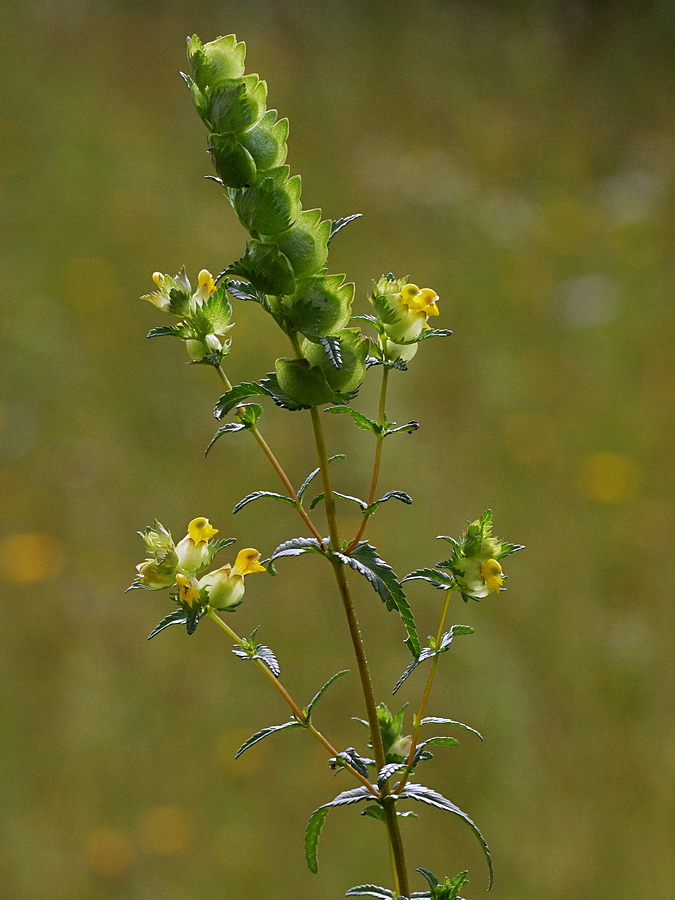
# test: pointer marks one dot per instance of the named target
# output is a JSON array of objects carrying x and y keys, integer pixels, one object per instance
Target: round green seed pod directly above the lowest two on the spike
[{"x": 320, "y": 305}]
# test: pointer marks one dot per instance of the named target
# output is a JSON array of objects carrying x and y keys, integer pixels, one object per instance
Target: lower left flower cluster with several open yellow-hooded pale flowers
[{"x": 181, "y": 565}]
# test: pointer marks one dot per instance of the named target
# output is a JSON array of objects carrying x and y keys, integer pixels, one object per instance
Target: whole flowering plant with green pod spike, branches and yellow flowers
[{"x": 284, "y": 270}]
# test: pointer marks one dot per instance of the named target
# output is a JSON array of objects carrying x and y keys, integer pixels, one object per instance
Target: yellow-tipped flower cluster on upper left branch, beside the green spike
[{"x": 205, "y": 314}]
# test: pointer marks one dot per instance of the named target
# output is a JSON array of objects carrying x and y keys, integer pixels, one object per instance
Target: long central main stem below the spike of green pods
[{"x": 389, "y": 804}]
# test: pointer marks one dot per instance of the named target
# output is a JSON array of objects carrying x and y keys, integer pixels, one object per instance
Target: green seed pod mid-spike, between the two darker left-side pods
[{"x": 272, "y": 205}]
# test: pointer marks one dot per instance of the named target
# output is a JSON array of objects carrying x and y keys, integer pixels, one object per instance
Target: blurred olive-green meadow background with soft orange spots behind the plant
[{"x": 517, "y": 157}]
